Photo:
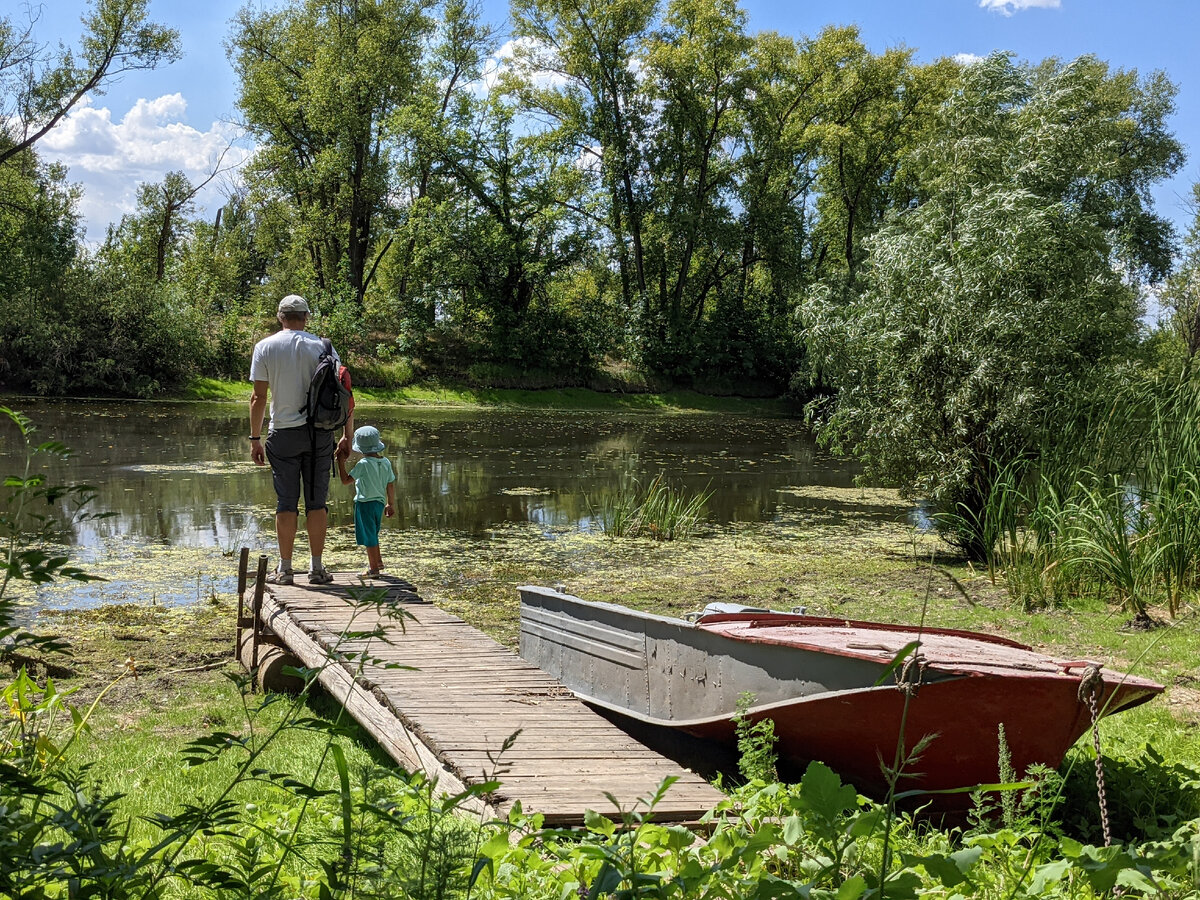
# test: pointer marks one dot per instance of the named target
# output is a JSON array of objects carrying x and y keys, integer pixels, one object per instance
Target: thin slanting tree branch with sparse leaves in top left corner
[{"x": 38, "y": 87}]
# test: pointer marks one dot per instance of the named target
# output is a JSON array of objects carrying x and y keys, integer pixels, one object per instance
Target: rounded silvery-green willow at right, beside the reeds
[{"x": 1007, "y": 287}]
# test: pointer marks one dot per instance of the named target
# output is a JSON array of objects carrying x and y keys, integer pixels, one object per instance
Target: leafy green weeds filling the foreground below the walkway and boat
[{"x": 367, "y": 832}]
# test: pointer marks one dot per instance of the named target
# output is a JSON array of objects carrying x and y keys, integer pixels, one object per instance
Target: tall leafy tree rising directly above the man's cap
[{"x": 320, "y": 83}]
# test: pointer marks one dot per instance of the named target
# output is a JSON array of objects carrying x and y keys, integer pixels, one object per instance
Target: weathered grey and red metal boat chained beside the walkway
[{"x": 838, "y": 691}]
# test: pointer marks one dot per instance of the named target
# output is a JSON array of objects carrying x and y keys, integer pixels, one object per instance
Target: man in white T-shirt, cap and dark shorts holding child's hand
[{"x": 283, "y": 367}]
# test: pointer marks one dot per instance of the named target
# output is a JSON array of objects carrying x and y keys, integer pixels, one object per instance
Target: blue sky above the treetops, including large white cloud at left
[{"x": 182, "y": 116}]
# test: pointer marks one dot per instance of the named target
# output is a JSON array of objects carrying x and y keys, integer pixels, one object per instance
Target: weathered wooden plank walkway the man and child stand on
[{"x": 465, "y": 697}]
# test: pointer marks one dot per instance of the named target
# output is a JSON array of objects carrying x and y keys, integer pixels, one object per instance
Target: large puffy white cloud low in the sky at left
[{"x": 110, "y": 160}]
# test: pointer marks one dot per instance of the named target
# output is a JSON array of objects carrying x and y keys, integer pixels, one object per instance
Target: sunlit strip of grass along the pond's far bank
[{"x": 550, "y": 399}]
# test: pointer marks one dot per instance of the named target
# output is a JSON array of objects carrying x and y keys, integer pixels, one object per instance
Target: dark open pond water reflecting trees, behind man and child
[{"x": 178, "y": 476}]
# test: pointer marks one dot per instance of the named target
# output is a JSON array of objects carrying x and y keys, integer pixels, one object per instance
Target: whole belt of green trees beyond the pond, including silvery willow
[{"x": 625, "y": 195}]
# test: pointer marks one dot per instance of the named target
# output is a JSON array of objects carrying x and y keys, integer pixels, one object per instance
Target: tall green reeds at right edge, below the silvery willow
[{"x": 1111, "y": 509}]
